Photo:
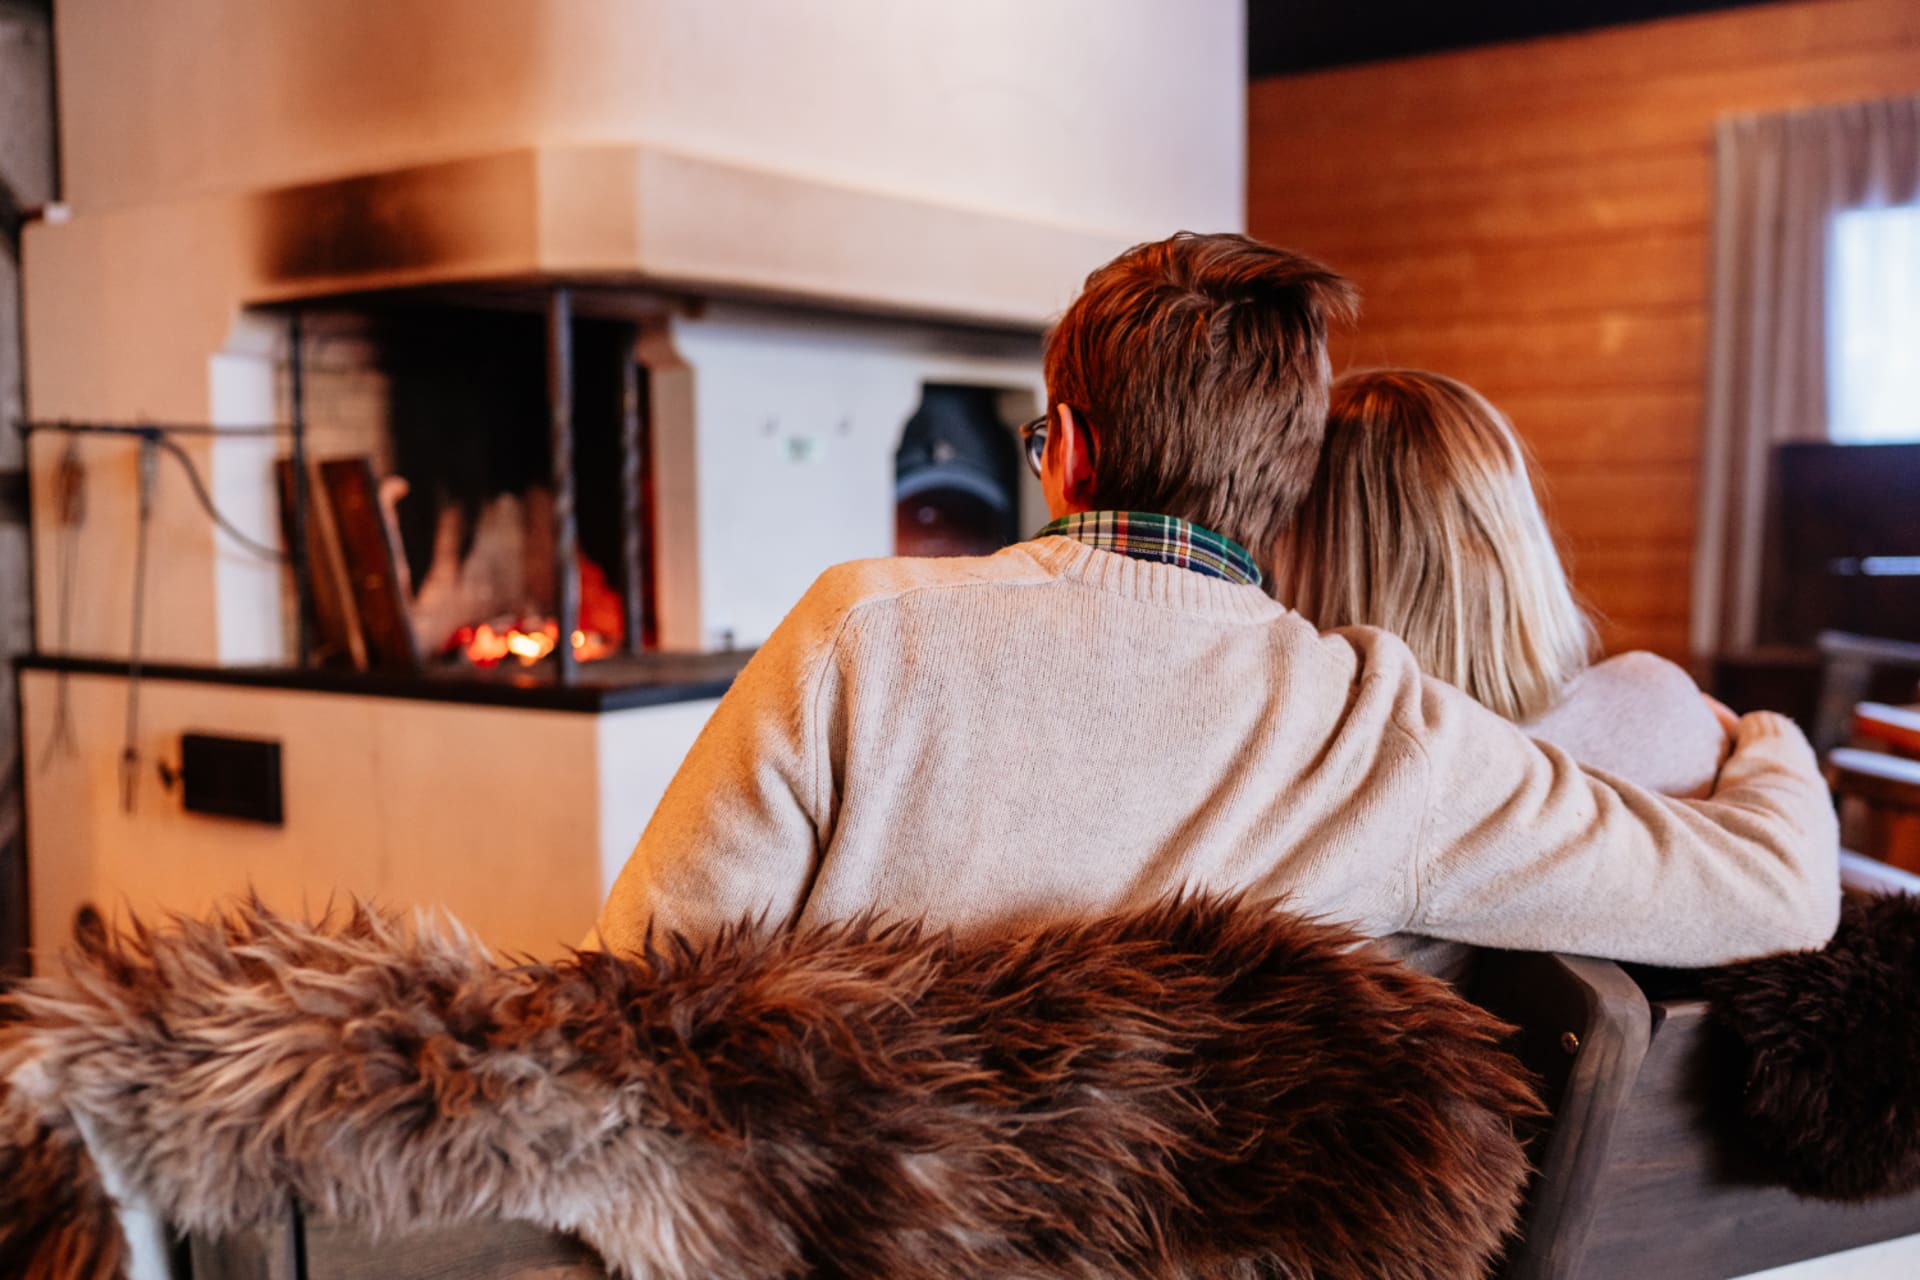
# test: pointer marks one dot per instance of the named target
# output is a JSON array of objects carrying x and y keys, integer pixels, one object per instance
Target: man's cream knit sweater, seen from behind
[{"x": 1059, "y": 730}]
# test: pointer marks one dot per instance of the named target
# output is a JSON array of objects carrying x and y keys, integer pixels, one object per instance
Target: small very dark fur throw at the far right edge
[{"x": 1829, "y": 1045}]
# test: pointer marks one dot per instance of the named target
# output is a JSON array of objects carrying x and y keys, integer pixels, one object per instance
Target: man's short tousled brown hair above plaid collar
[{"x": 1201, "y": 366}]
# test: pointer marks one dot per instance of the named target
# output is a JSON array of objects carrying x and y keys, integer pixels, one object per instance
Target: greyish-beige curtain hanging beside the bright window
[{"x": 1779, "y": 185}]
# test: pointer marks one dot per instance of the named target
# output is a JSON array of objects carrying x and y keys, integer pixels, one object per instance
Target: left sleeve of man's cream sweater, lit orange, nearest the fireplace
[{"x": 740, "y": 830}]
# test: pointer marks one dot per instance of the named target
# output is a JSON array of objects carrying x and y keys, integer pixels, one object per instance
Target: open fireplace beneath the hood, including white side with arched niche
[{"x": 832, "y": 433}]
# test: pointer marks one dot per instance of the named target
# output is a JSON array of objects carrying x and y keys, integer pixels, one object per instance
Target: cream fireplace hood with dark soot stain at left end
[{"x": 658, "y": 220}]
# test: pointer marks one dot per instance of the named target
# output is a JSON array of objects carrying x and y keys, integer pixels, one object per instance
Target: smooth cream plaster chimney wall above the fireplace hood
[{"x": 1115, "y": 116}]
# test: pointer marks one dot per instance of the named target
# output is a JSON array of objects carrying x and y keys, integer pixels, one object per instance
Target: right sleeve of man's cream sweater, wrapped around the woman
[{"x": 1525, "y": 849}]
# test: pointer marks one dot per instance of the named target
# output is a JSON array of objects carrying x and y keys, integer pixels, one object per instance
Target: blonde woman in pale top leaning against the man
[{"x": 1424, "y": 523}]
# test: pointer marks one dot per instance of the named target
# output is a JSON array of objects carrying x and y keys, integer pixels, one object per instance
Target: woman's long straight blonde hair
[{"x": 1424, "y": 521}]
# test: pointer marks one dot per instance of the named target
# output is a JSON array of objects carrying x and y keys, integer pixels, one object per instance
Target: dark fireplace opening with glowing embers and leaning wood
[{"x": 462, "y": 498}]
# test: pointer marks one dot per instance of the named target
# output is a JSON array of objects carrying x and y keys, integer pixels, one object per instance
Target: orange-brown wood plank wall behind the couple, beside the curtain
[{"x": 1535, "y": 220}]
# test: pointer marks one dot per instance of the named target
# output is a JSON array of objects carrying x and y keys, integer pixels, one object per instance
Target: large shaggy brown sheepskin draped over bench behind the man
[{"x": 1203, "y": 1089}]
